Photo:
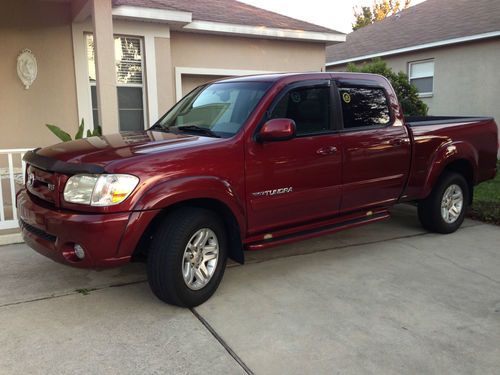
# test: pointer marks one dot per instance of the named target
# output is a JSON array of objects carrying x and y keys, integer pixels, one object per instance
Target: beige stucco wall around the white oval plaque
[{"x": 43, "y": 27}]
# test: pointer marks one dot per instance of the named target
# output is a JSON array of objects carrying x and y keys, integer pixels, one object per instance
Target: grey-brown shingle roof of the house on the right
[{"x": 427, "y": 22}]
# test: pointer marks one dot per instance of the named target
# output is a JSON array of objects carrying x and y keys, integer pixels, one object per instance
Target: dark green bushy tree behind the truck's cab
[{"x": 405, "y": 91}]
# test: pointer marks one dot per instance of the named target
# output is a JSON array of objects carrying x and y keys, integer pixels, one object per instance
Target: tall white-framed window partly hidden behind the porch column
[{"x": 129, "y": 81}]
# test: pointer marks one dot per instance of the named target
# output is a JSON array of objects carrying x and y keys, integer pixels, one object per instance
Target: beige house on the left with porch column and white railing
[{"x": 122, "y": 63}]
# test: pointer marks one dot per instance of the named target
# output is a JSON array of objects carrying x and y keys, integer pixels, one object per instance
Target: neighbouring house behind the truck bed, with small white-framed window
[{"x": 450, "y": 50}]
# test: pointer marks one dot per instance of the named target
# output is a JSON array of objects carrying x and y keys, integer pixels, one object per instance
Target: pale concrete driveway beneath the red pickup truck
[{"x": 387, "y": 299}]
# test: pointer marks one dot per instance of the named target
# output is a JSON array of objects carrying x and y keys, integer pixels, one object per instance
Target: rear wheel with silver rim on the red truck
[{"x": 430, "y": 211}]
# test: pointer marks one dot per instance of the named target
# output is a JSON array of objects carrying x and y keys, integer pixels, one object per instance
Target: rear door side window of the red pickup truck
[{"x": 364, "y": 107}]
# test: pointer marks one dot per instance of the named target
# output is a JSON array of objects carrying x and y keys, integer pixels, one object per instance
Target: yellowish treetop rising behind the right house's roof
[{"x": 380, "y": 9}]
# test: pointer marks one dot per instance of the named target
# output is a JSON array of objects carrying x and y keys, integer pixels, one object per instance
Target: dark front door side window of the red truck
[{"x": 309, "y": 107}]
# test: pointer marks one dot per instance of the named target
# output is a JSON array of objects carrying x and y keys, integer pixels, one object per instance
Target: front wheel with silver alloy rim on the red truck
[{"x": 169, "y": 256}]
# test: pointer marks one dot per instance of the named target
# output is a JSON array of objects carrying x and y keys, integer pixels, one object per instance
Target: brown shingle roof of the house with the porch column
[{"x": 228, "y": 11}]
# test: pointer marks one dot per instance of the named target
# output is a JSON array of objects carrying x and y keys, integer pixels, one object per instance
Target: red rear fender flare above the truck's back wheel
[{"x": 446, "y": 154}]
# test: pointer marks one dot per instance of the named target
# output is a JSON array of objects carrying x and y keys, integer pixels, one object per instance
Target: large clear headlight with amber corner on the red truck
[{"x": 99, "y": 190}]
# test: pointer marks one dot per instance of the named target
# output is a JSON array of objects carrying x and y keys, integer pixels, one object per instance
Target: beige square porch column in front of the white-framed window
[{"x": 104, "y": 46}]
